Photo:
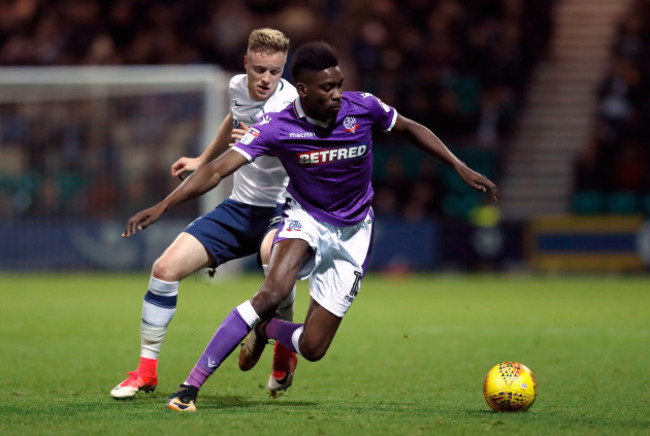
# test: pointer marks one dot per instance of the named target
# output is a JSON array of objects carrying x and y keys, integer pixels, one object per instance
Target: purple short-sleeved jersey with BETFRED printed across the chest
[{"x": 330, "y": 168}]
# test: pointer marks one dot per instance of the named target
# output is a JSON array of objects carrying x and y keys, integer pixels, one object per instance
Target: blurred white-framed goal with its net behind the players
[{"x": 93, "y": 145}]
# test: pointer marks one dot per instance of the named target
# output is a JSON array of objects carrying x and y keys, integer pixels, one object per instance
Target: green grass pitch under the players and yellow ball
[{"x": 409, "y": 358}]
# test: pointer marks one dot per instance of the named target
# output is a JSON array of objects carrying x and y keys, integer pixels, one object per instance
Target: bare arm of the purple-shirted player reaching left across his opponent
[{"x": 200, "y": 182}]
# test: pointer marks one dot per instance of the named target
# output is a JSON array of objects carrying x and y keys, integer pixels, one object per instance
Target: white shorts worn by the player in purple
[{"x": 341, "y": 256}]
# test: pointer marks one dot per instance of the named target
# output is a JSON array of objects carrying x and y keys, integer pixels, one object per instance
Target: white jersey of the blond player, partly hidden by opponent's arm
[{"x": 264, "y": 181}]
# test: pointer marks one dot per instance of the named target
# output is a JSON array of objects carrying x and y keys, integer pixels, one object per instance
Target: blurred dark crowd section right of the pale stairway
[{"x": 613, "y": 172}]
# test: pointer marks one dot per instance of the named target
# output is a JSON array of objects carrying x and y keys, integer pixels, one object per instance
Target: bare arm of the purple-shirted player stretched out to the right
[{"x": 425, "y": 139}]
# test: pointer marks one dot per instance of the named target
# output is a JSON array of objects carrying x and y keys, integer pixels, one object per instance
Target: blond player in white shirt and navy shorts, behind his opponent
[{"x": 244, "y": 224}]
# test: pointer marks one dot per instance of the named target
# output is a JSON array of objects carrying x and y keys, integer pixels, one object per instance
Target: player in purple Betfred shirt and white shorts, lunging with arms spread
[{"x": 324, "y": 141}]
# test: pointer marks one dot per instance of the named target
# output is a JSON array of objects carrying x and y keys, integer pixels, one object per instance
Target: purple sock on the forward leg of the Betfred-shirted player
[{"x": 232, "y": 330}]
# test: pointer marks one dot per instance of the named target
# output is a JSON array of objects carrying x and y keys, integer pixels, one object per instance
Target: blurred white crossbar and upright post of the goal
[{"x": 101, "y": 85}]
